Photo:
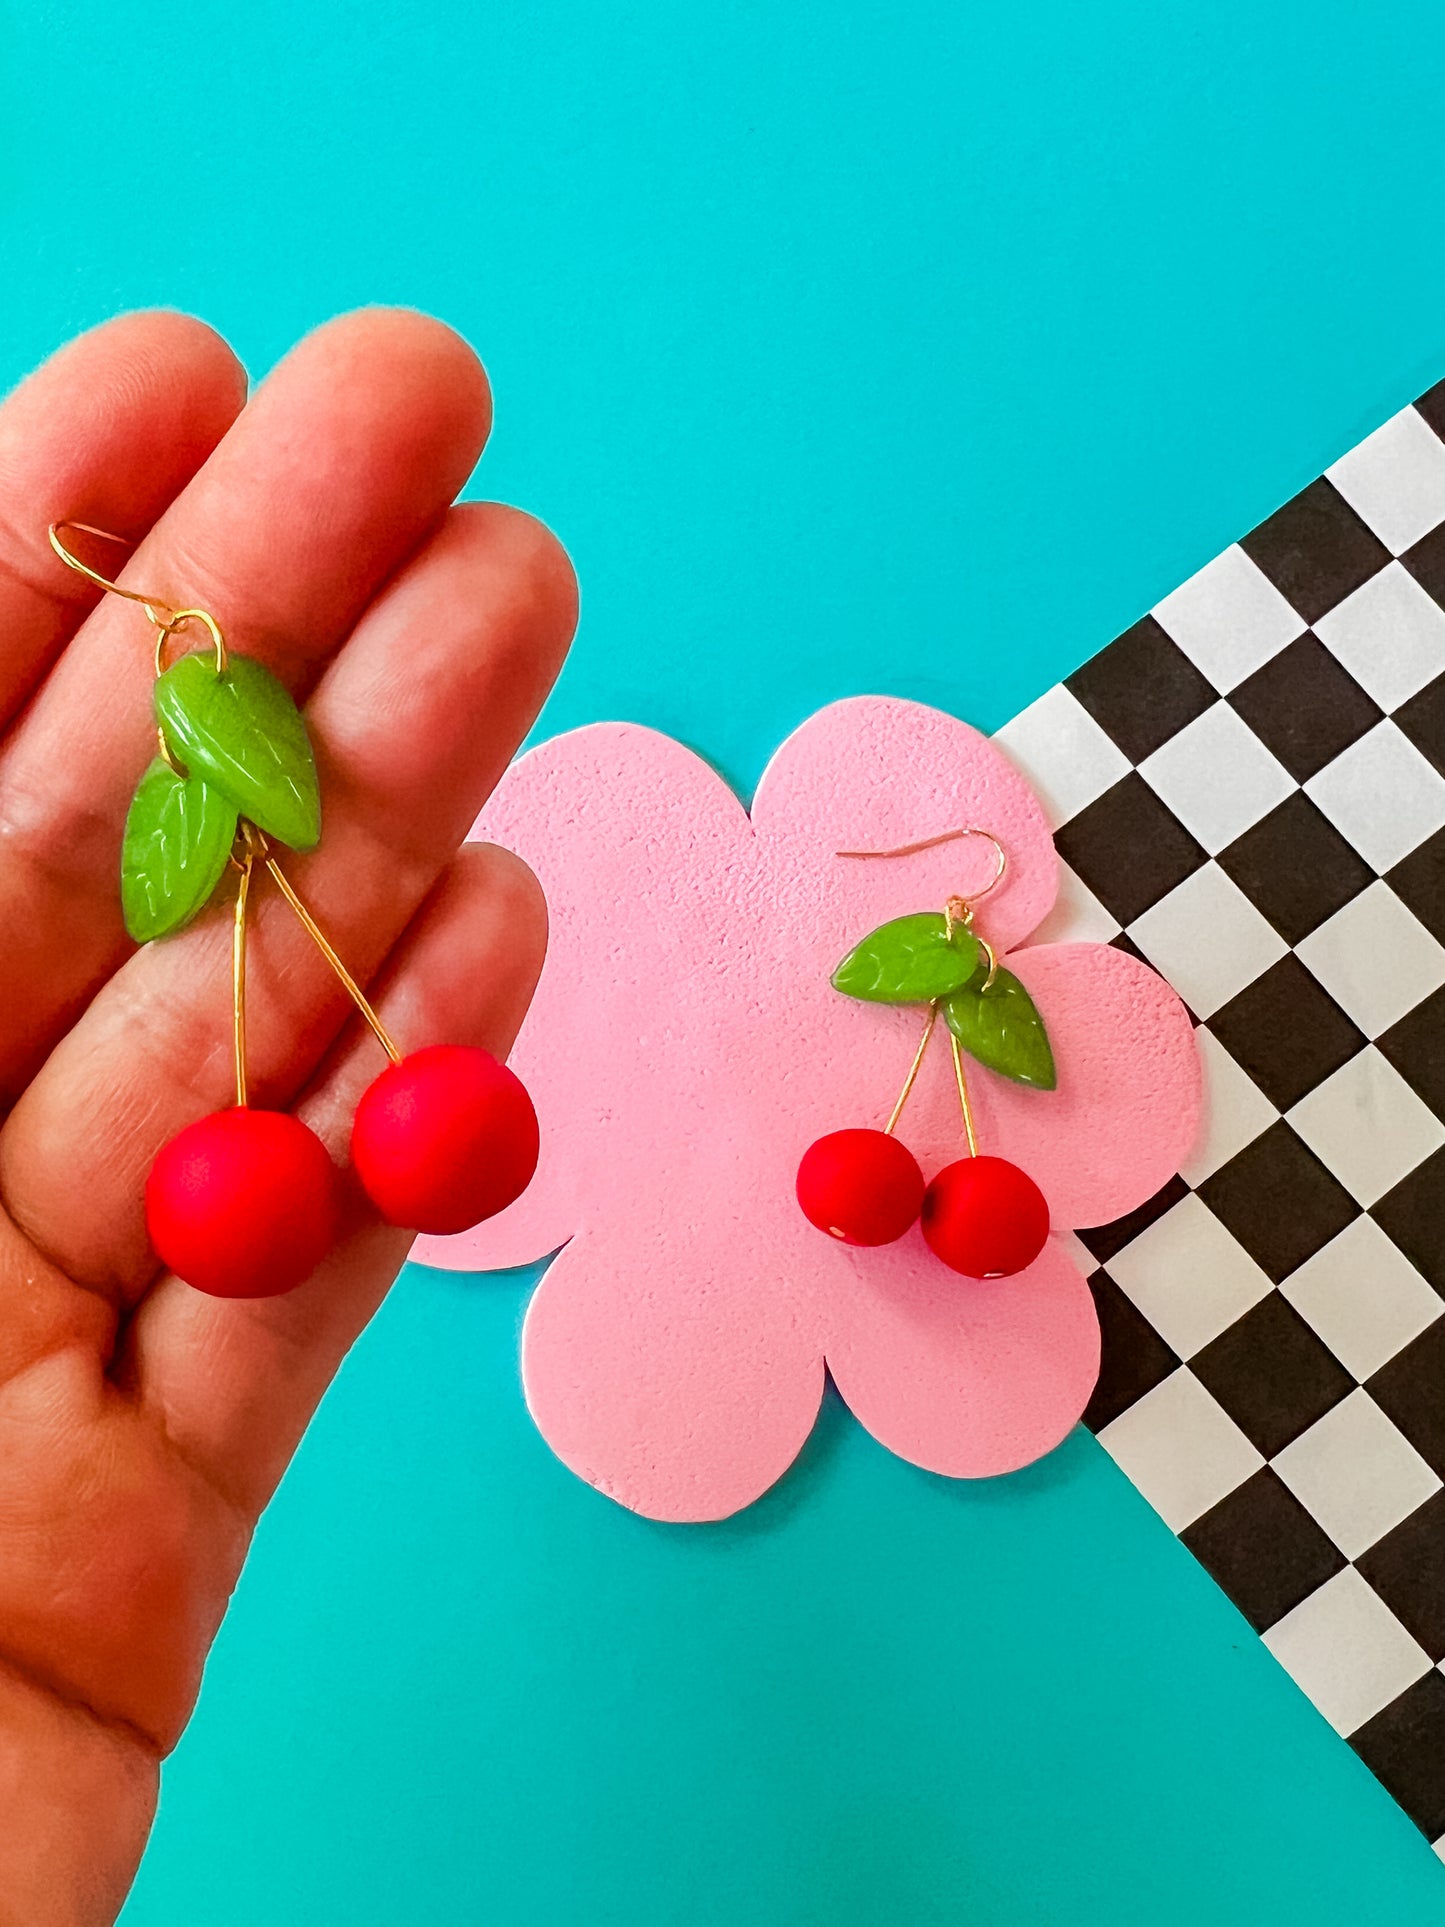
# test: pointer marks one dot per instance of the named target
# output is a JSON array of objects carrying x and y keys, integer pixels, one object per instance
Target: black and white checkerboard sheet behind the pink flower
[{"x": 1249, "y": 793}]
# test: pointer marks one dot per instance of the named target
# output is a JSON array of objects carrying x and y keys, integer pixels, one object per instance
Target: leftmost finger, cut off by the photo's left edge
[{"x": 109, "y": 433}]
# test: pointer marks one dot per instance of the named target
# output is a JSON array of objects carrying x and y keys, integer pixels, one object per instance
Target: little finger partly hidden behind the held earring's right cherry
[{"x": 236, "y": 1383}]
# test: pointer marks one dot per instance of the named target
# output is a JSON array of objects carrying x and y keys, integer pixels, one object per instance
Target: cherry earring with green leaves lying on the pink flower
[{"x": 982, "y": 1215}]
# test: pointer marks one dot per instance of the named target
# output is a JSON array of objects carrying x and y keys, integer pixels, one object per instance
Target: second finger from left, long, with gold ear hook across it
[{"x": 330, "y": 479}]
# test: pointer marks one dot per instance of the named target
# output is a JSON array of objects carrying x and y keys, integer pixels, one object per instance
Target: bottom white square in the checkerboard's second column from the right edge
[{"x": 1180, "y": 1448}]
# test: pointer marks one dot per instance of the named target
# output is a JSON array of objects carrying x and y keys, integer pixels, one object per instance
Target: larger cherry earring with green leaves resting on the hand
[{"x": 248, "y": 1203}]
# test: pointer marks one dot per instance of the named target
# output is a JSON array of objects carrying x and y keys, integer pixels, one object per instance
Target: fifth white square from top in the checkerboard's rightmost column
[{"x": 1369, "y": 1126}]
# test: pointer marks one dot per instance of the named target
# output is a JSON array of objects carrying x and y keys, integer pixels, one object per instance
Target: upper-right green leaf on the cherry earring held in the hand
[{"x": 242, "y": 733}]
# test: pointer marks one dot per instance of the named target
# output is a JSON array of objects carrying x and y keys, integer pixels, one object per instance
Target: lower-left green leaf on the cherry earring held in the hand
[{"x": 178, "y": 839}]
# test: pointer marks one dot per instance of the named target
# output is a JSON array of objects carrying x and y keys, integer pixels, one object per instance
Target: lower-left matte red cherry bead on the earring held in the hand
[{"x": 244, "y": 1203}]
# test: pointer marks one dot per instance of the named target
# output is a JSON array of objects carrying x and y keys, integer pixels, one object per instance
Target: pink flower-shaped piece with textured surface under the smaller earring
[{"x": 685, "y": 1049}]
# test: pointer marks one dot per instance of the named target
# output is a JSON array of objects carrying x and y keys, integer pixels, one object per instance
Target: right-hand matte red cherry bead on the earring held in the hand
[{"x": 444, "y": 1140}]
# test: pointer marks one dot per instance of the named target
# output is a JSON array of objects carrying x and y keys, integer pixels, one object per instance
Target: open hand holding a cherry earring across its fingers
[{"x": 144, "y": 1427}]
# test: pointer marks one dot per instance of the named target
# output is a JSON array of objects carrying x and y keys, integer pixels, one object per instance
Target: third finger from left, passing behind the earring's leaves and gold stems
[{"x": 413, "y": 726}]
